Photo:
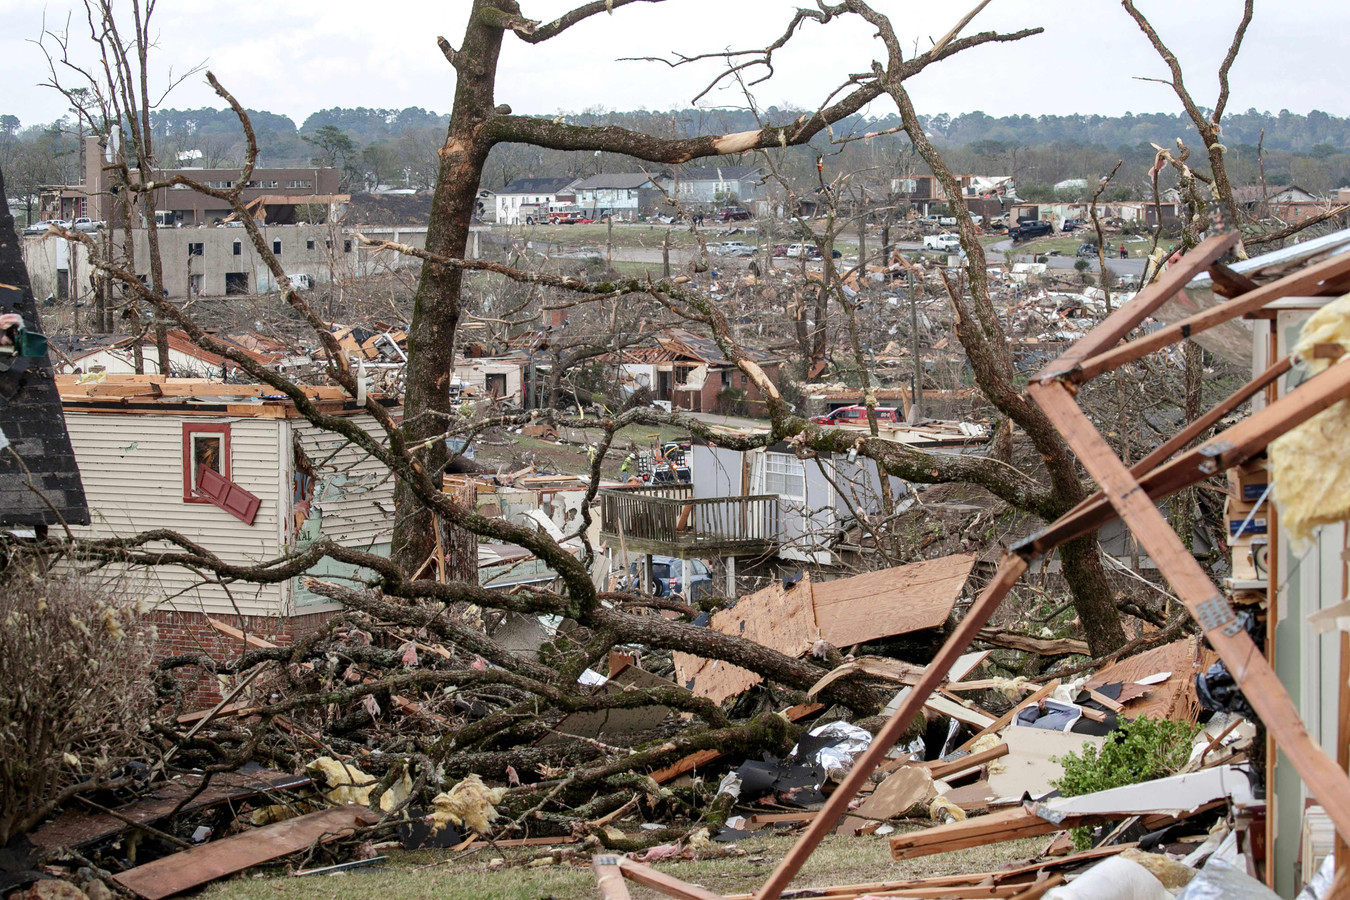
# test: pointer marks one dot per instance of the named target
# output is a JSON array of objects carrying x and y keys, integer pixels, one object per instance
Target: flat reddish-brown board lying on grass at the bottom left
[{"x": 203, "y": 864}]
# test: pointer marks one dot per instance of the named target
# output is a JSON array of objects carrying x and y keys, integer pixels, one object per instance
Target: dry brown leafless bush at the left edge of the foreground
[{"x": 75, "y": 696}]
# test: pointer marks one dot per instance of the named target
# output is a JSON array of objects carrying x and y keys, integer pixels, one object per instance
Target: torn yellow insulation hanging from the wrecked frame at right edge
[{"x": 1310, "y": 465}]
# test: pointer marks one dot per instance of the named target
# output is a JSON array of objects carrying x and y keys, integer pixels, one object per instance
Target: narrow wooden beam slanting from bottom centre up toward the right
[{"x": 1010, "y": 570}]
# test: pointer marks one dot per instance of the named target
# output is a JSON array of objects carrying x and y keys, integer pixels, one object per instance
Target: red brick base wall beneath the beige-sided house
[{"x": 180, "y": 632}]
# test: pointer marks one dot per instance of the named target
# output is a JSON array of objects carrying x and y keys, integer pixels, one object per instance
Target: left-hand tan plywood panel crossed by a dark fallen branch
[{"x": 780, "y": 619}]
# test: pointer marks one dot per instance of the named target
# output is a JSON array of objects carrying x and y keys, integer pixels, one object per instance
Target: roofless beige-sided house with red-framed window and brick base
[{"x": 237, "y": 472}]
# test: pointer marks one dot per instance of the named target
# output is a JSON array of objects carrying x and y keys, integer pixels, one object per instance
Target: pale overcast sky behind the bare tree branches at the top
[{"x": 295, "y": 57}]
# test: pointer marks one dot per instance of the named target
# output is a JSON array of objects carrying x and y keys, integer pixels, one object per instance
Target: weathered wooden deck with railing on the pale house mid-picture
[{"x": 668, "y": 520}]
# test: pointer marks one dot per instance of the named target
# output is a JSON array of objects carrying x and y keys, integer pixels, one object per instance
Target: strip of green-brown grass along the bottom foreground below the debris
[{"x": 418, "y": 876}]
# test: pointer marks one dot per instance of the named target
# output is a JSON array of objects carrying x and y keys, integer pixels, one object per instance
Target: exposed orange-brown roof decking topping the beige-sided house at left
[{"x": 163, "y": 396}]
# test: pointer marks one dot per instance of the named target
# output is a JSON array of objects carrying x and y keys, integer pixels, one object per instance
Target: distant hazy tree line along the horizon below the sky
[{"x": 398, "y": 148}]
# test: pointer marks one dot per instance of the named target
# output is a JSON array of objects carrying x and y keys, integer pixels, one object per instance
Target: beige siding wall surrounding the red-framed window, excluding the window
[{"x": 133, "y": 477}]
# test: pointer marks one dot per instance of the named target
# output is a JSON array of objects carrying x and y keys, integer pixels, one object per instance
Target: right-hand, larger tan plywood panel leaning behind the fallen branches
[{"x": 889, "y": 602}]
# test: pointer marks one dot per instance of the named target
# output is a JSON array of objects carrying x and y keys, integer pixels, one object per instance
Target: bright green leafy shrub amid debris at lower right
[{"x": 1139, "y": 751}]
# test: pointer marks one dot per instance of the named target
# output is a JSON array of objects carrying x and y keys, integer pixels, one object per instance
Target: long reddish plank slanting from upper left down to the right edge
[{"x": 1206, "y": 604}]
